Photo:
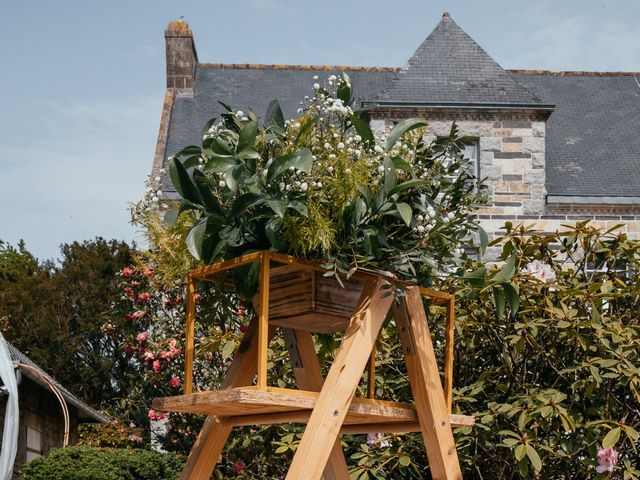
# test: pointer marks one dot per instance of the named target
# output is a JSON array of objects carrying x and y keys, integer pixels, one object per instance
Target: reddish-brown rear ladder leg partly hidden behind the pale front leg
[{"x": 308, "y": 373}]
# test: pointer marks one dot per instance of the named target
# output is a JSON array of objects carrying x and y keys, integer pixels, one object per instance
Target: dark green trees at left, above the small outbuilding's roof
[{"x": 58, "y": 314}]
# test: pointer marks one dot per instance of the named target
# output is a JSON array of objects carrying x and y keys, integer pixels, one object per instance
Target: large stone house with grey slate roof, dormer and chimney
[{"x": 554, "y": 147}]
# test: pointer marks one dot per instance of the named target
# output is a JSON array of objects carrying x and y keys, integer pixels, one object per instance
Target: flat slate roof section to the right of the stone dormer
[{"x": 593, "y": 134}]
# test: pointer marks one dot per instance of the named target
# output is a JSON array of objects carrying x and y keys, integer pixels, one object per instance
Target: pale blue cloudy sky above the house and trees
[{"x": 82, "y": 82}]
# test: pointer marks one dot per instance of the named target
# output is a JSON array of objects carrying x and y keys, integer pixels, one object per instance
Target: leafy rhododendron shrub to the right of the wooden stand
[{"x": 559, "y": 379}]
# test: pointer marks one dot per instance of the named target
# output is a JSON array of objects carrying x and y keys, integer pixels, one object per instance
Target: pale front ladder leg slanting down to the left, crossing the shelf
[{"x": 341, "y": 383}]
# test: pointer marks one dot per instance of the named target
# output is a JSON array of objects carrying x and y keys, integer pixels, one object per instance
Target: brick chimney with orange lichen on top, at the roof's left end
[{"x": 181, "y": 57}]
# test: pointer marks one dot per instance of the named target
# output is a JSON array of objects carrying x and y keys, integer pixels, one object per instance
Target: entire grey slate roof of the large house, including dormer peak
[{"x": 592, "y": 136}]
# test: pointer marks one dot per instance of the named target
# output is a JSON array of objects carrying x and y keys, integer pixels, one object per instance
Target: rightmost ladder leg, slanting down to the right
[{"x": 427, "y": 388}]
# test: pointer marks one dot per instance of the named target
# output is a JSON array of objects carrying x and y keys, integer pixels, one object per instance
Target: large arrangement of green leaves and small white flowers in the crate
[{"x": 324, "y": 186}]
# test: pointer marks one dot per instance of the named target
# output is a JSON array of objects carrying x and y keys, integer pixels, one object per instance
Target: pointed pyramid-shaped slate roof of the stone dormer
[{"x": 450, "y": 67}]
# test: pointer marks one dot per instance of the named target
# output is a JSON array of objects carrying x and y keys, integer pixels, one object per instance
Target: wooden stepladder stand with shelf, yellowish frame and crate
[{"x": 299, "y": 300}]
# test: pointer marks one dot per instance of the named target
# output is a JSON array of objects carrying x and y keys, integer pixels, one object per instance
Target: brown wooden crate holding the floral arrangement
[{"x": 305, "y": 299}]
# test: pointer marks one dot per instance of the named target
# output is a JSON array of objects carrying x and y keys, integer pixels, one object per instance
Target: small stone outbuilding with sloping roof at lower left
[{"x": 41, "y": 423}]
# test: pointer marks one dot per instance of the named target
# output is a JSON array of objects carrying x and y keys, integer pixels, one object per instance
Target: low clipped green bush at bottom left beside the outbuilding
[{"x": 87, "y": 463}]
